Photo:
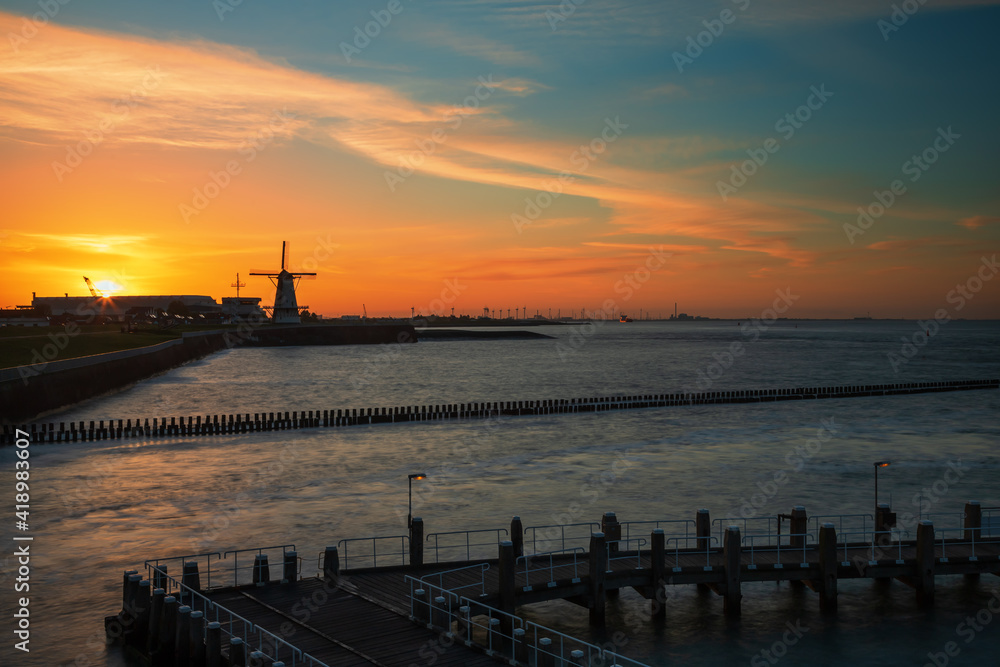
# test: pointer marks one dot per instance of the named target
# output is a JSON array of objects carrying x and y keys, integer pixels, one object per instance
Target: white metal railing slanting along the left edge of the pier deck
[{"x": 234, "y": 625}]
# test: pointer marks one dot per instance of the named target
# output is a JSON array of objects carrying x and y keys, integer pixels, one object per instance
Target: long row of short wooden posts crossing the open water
[{"x": 112, "y": 429}]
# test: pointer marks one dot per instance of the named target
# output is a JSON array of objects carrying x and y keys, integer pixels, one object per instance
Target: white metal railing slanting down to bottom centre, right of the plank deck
[{"x": 505, "y": 635}]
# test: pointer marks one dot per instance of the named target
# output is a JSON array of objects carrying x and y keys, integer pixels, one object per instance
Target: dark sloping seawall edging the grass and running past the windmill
[{"x": 29, "y": 391}]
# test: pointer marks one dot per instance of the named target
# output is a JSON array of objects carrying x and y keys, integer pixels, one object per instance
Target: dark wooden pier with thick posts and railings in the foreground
[{"x": 454, "y": 596}]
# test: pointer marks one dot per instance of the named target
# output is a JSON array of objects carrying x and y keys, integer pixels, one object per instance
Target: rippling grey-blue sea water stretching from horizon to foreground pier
[{"x": 100, "y": 508}]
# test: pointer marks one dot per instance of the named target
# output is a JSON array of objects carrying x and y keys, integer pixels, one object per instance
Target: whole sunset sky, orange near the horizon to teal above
[{"x": 486, "y": 154}]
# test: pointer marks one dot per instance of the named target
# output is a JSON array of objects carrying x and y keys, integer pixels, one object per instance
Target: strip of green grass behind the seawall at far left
[{"x": 26, "y": 345}]
